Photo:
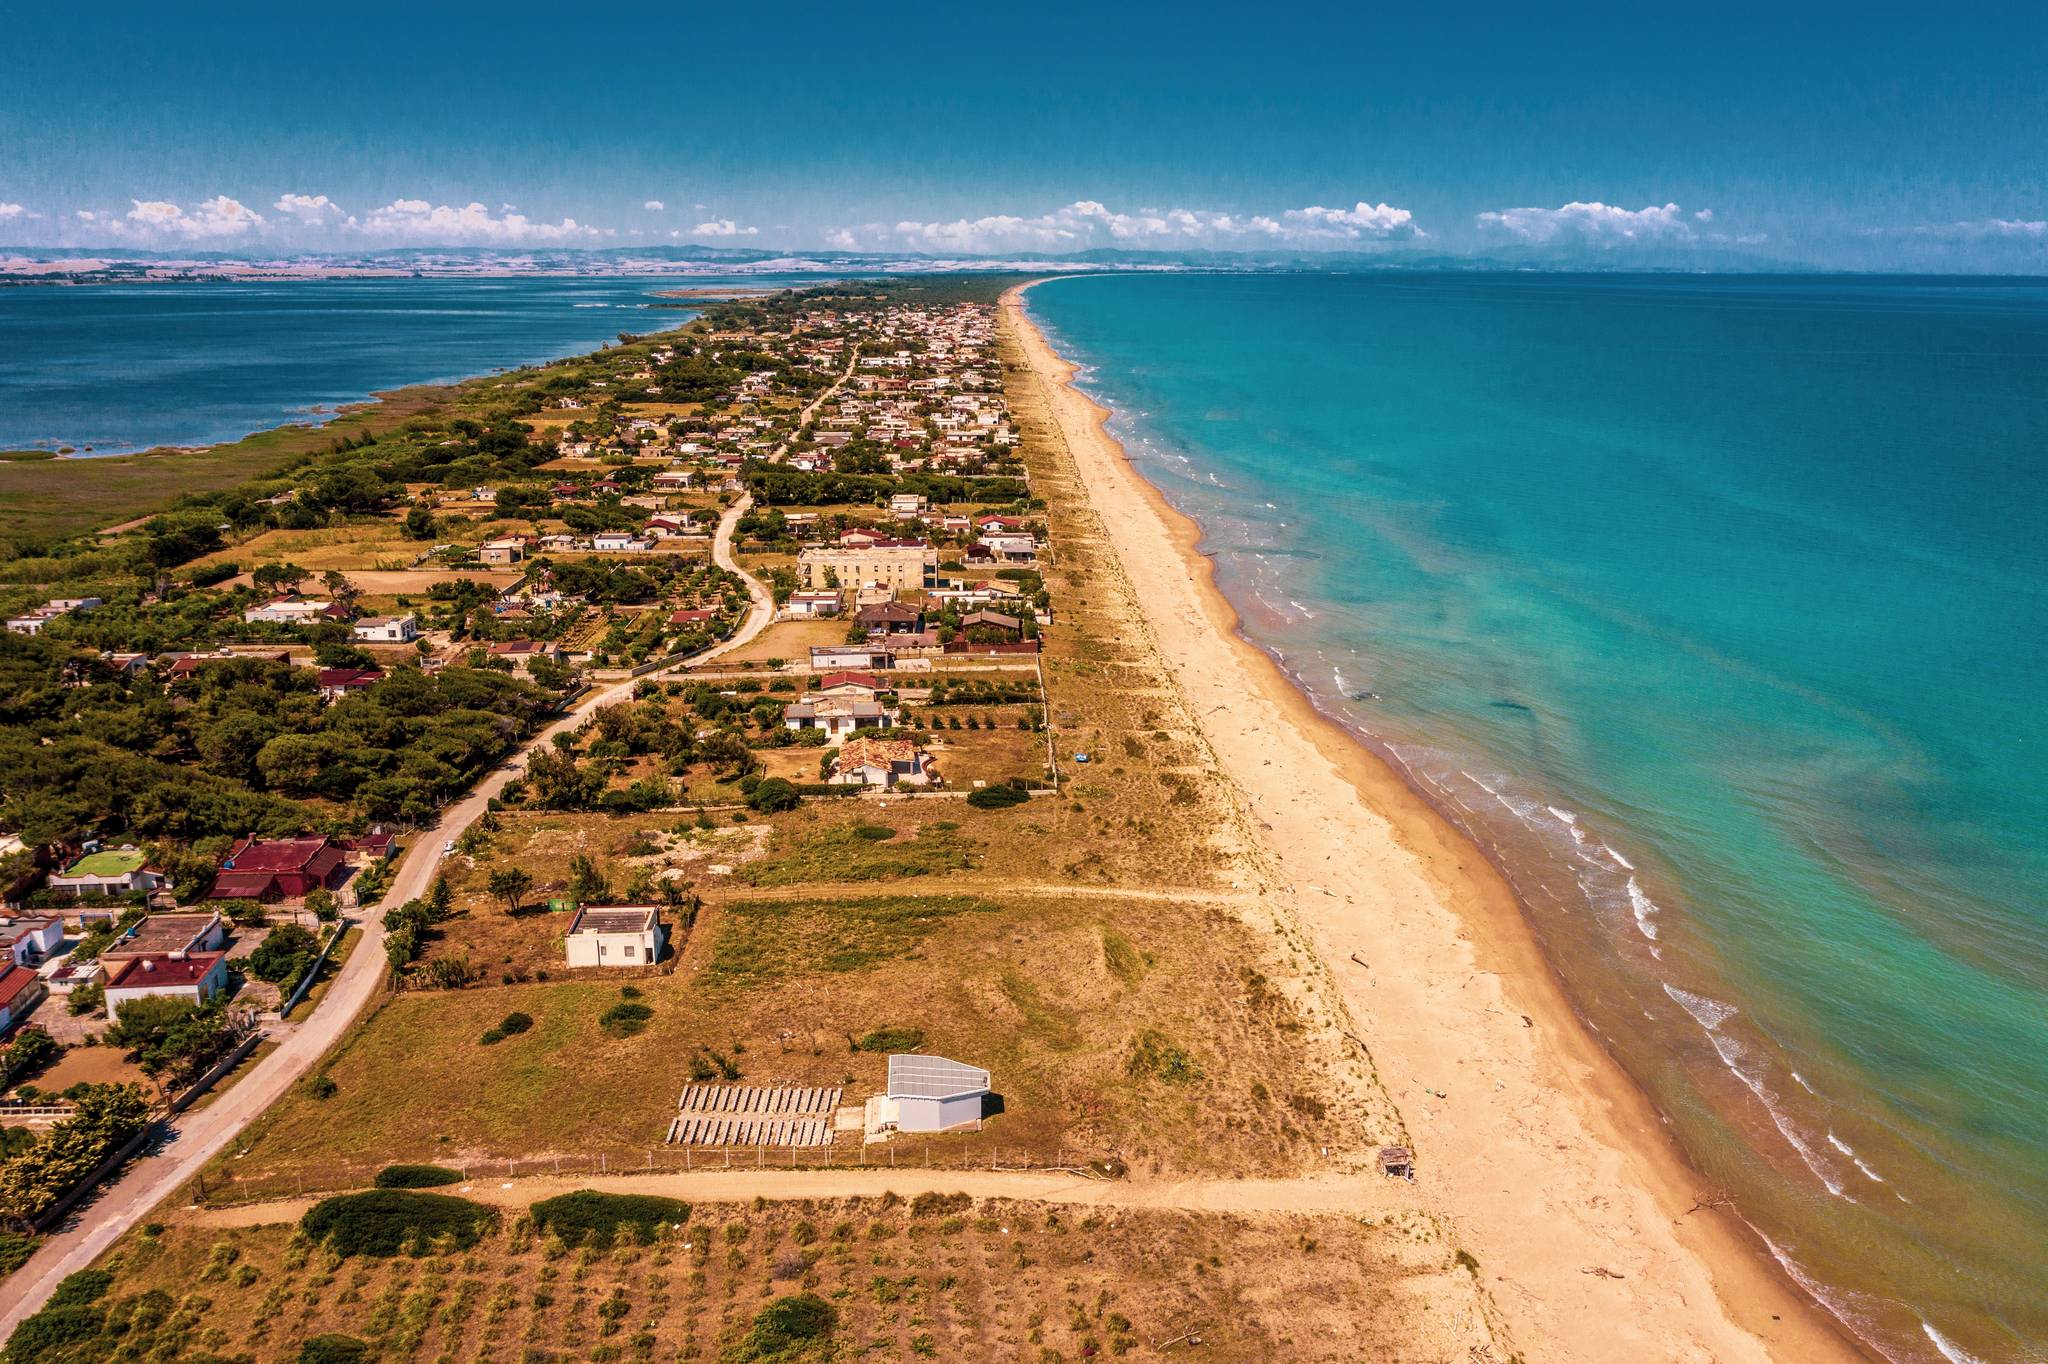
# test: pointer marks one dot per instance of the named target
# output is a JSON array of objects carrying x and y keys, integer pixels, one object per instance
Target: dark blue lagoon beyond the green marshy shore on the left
[{"x": 124, "y": 368}]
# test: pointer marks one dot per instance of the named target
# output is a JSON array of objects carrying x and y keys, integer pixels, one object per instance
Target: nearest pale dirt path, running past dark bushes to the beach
[{"x": 1345, "y": 1197}]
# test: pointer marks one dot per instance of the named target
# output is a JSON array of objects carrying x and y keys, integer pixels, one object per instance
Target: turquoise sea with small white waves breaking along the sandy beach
[{"x": 1719, "y": 611}]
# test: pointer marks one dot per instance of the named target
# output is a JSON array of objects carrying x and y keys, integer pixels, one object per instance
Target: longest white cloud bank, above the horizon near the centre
[{"x": 1086, "y": 224}]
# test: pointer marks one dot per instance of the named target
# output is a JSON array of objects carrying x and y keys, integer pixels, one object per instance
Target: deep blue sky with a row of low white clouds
[{"x": 1824, "y": 134}]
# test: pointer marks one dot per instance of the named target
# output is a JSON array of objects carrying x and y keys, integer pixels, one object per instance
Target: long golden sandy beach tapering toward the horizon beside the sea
[{"x": 1547, "y": 1160}]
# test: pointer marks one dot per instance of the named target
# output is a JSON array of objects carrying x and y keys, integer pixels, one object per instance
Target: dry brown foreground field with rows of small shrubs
[{"x": 906, "y": 1279}]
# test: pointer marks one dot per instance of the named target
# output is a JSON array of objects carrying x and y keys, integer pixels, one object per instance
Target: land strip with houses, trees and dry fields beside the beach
[{"x": 734, "y": 753}]
